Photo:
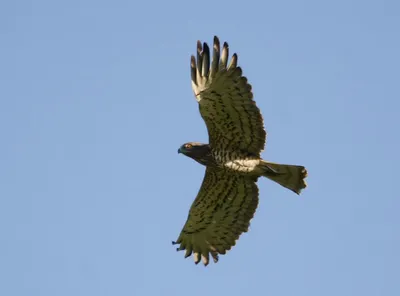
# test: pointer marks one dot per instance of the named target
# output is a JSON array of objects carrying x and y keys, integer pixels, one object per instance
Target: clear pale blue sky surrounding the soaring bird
[{"x": 95, "y": 100}]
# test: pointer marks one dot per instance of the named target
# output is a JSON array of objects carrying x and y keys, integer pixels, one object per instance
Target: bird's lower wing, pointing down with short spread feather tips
[{"x": 220, "y": 213}]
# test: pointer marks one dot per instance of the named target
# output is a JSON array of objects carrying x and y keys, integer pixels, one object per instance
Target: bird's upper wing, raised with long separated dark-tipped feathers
[{"x": 226, "y": 102}]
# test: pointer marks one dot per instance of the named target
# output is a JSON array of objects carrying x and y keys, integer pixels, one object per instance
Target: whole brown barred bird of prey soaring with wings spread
[{"x": 228, "y": 196}]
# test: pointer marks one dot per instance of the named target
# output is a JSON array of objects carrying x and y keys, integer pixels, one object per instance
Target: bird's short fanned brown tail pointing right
[{"x": 289, "y": 176}]
